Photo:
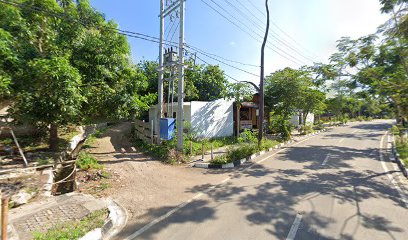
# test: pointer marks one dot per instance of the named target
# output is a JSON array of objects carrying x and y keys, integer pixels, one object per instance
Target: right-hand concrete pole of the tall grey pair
[{"x": 180, "y": 99}]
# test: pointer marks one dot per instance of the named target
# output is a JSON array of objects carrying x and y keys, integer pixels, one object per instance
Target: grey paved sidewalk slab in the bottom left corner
[{"x": 42, "y": 215}]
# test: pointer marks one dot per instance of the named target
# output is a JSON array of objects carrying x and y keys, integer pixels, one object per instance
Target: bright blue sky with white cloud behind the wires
[{"x": 301, "y": 31}]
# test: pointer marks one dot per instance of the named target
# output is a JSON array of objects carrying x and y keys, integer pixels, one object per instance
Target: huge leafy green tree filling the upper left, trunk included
[{"x": 79, "y": 67}]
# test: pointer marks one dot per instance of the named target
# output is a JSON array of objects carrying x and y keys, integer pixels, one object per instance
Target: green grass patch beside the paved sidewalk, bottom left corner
[{"x": 74, "y": 229}]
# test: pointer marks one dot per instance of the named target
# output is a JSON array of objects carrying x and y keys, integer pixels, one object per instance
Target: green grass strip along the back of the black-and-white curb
[{"x": 243, "y": 150}]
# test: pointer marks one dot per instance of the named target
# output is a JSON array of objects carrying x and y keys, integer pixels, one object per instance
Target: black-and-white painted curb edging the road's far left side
[{"x": 237, "y": 163}]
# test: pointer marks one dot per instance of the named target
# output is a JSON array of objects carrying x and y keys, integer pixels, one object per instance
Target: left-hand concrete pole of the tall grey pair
[{"x": 161, "y": 70}]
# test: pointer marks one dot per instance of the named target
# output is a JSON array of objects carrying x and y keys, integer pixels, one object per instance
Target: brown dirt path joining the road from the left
[{"x": 146, "y": 188}]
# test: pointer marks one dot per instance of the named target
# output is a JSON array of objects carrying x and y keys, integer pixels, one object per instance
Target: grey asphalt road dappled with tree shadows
[{"x": 336, "y": 185}]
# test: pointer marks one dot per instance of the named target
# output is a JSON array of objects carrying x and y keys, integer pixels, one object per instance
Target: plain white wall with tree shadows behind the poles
[{"x": 212, "y": 119}]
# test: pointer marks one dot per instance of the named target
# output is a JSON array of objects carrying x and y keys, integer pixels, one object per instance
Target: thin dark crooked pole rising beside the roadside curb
[{"x": 261, "y": 84}]
